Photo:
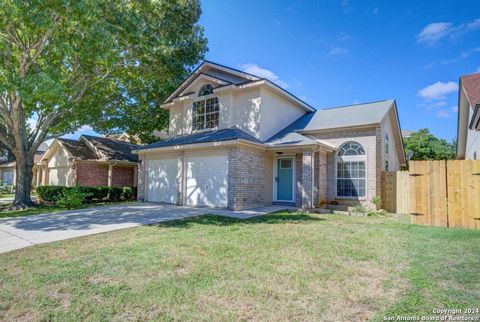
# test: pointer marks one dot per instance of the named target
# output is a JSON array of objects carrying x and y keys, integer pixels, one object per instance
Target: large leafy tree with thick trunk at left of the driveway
[{"x": 102, "y": 63}]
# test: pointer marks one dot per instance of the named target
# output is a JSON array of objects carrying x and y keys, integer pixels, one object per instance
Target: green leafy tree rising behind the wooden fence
[{"x": 425, "y": 146}]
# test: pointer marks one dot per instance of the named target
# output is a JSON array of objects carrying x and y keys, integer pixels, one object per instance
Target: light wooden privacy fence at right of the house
[{"x": 440, "y": 193}]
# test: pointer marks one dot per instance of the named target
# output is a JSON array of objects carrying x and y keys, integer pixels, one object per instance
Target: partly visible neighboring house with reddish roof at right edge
[{"x": 468, "y": 130}]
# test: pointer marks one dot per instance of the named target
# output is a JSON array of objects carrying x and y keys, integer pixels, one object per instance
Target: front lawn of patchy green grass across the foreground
[{"x": 286, "y": 266}]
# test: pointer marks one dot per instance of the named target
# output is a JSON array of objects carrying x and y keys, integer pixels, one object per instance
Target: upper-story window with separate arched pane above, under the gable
[{"x": 205, "y": 112}]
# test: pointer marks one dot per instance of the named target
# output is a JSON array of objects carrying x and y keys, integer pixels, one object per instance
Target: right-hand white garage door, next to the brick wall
[{"x": 207, "y": 181}]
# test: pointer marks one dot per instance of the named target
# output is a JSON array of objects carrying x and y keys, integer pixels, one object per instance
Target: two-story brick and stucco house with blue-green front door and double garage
[{"x": 241, "y": 141}]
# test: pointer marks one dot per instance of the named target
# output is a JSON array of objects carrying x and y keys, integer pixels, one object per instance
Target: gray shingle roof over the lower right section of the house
[{"x": 338, "y": 117}]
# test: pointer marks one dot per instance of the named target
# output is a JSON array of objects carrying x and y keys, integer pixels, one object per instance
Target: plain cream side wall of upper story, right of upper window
[{"x": 276, "y": 113}]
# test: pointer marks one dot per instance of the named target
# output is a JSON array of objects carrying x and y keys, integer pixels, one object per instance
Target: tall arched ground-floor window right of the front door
[{"x": 351, "y": 170}]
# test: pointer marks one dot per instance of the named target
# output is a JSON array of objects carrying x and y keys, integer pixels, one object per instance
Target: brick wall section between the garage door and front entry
[{"x": 246, "y": 178}]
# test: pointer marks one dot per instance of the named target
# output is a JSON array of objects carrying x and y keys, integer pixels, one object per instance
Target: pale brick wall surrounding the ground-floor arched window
[{"x": 368, "y": 139}]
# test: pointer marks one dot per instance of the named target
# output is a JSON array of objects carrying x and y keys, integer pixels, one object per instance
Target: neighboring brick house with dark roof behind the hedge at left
[{"x": 89, "y": 161}]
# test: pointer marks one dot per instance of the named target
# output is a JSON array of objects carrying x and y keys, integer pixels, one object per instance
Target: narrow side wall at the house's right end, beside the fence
[{"x": 388, "y": 127}]
